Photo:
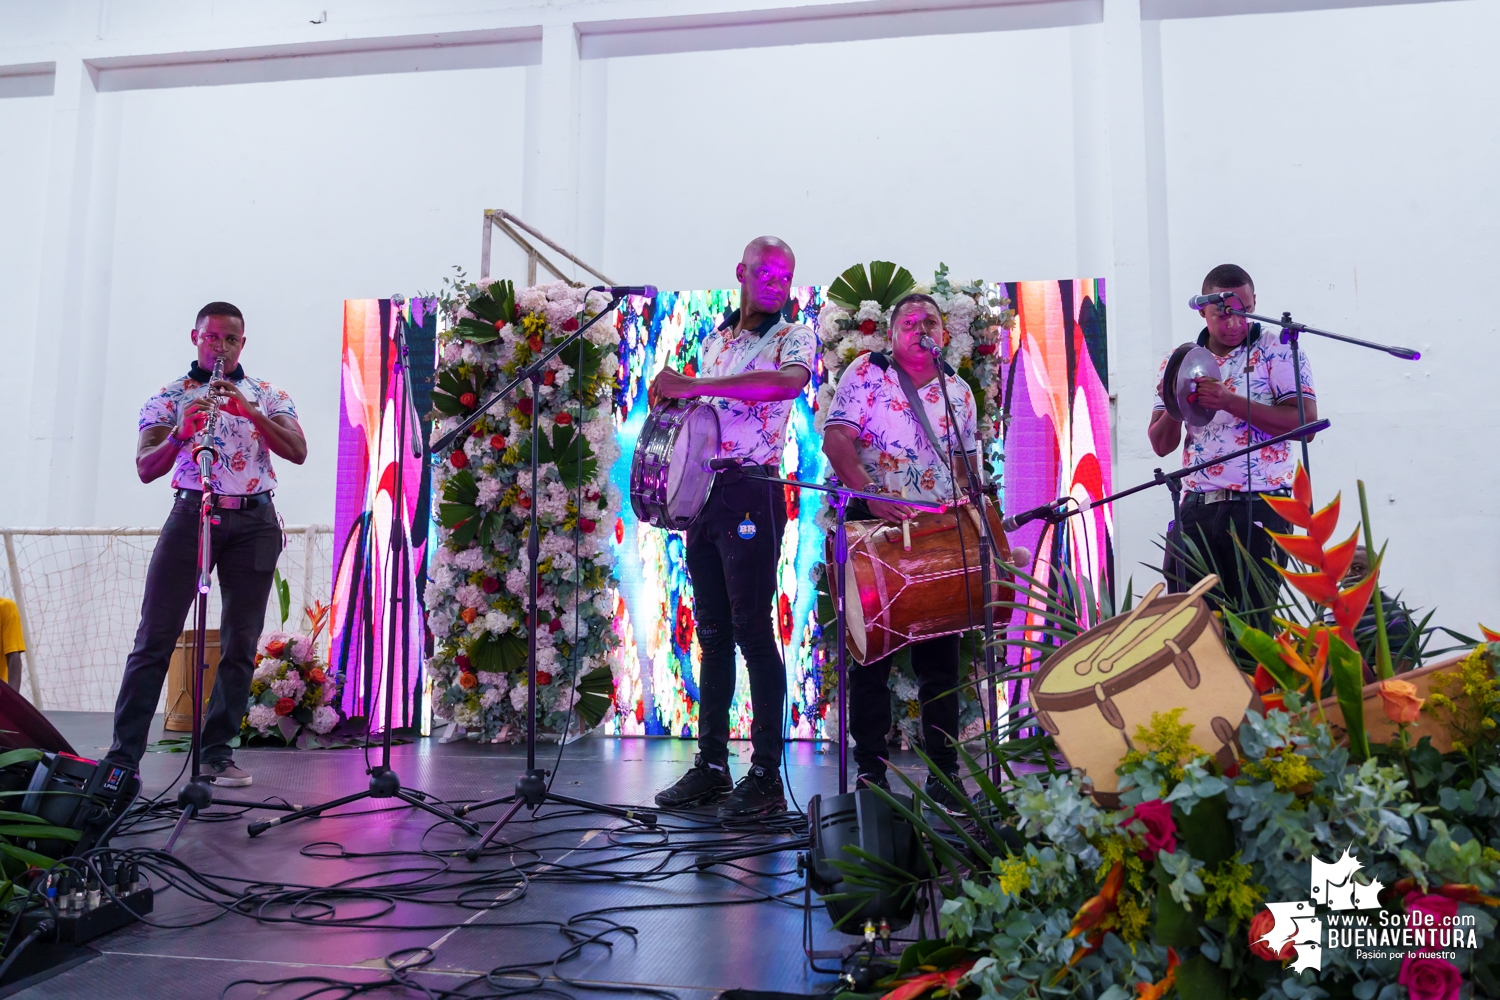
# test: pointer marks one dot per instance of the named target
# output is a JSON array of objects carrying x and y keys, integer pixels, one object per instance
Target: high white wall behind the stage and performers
[{"x": 1345, "y": 157}]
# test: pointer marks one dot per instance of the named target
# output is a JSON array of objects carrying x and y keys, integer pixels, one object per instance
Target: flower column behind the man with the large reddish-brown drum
[{"x": 856, "y": 320}]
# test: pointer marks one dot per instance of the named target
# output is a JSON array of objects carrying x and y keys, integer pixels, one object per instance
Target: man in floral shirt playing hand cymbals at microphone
[{"x": 1256, "y": 398}]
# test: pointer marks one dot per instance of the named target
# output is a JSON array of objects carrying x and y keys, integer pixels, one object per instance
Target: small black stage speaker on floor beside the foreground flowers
[{"x": 862, "y": 819}]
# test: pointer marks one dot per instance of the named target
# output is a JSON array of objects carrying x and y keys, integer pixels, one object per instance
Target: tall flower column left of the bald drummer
[{"x": 478, "y": 591}]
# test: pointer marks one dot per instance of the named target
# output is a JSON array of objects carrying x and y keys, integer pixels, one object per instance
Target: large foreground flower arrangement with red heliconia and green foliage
[{"x": 1051, "y": 894}]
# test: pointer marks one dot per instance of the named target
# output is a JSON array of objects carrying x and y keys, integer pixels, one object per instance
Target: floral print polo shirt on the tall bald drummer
[{"x": 749, "y": 431}]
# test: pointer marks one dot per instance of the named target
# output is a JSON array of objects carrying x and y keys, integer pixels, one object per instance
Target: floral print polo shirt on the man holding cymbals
[{"x": 1271, "y": 382}]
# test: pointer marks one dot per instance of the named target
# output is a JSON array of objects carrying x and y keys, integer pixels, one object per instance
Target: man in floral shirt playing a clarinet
[{"x": 256, "y": 422}]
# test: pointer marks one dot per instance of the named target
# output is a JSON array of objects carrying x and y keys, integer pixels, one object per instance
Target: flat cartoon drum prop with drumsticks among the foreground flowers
[{"x": 1168, "y": 653}]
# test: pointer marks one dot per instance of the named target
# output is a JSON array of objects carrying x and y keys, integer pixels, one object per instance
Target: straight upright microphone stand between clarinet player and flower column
[{"x": 385, "y": 782}]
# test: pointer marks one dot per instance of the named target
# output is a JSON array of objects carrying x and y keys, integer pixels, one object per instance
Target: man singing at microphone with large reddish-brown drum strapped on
[{"x": 878, "y": 442}]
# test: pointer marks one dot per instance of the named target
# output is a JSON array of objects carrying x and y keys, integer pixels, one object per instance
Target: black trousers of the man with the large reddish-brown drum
[{"x": 937, "y": 666}]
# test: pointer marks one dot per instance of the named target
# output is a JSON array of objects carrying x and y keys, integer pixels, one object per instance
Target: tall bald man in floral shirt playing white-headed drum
[{"x": 754, "y": 367}]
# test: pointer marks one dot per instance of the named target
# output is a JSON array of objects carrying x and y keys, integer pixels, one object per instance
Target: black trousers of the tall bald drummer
[{"x": 734, "y": 590}]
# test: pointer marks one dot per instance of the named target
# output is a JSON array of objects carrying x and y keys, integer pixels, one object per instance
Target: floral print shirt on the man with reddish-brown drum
[{"x": 893, "y": 446}]
